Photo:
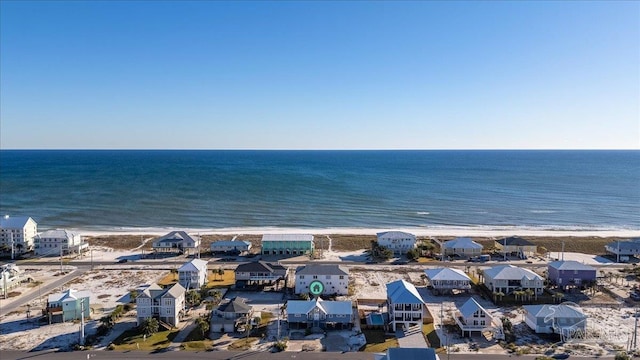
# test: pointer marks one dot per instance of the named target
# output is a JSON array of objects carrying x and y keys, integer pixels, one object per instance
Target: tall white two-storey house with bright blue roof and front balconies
[{"x": 406, "y": 306}]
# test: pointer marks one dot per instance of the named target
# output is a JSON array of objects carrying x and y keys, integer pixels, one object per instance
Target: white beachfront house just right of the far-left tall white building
[{"x": 58, "y": 242}]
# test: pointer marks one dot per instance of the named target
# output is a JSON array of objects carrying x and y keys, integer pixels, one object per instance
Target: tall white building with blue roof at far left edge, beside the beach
[{"x": 17, "y": 233}]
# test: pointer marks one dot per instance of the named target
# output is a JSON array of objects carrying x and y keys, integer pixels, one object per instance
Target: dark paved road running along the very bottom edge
[{"x": 230, "y": 355}]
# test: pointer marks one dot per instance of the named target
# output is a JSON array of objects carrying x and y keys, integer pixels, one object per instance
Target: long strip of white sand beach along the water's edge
[{"x": 441, "y": 231}]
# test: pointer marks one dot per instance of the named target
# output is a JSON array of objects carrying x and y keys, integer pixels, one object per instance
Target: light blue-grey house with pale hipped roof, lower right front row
[{"x": 565, "y": 319}]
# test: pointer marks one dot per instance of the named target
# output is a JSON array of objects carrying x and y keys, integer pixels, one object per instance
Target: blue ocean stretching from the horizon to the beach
[{"x": 217, "y": 189}]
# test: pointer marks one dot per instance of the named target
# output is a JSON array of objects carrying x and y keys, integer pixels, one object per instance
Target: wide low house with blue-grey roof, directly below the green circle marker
[{"x": 321, "y": 314}]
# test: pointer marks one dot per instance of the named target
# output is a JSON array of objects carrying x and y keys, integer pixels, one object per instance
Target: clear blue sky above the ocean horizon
[{"x": 320, "y": 75}]
